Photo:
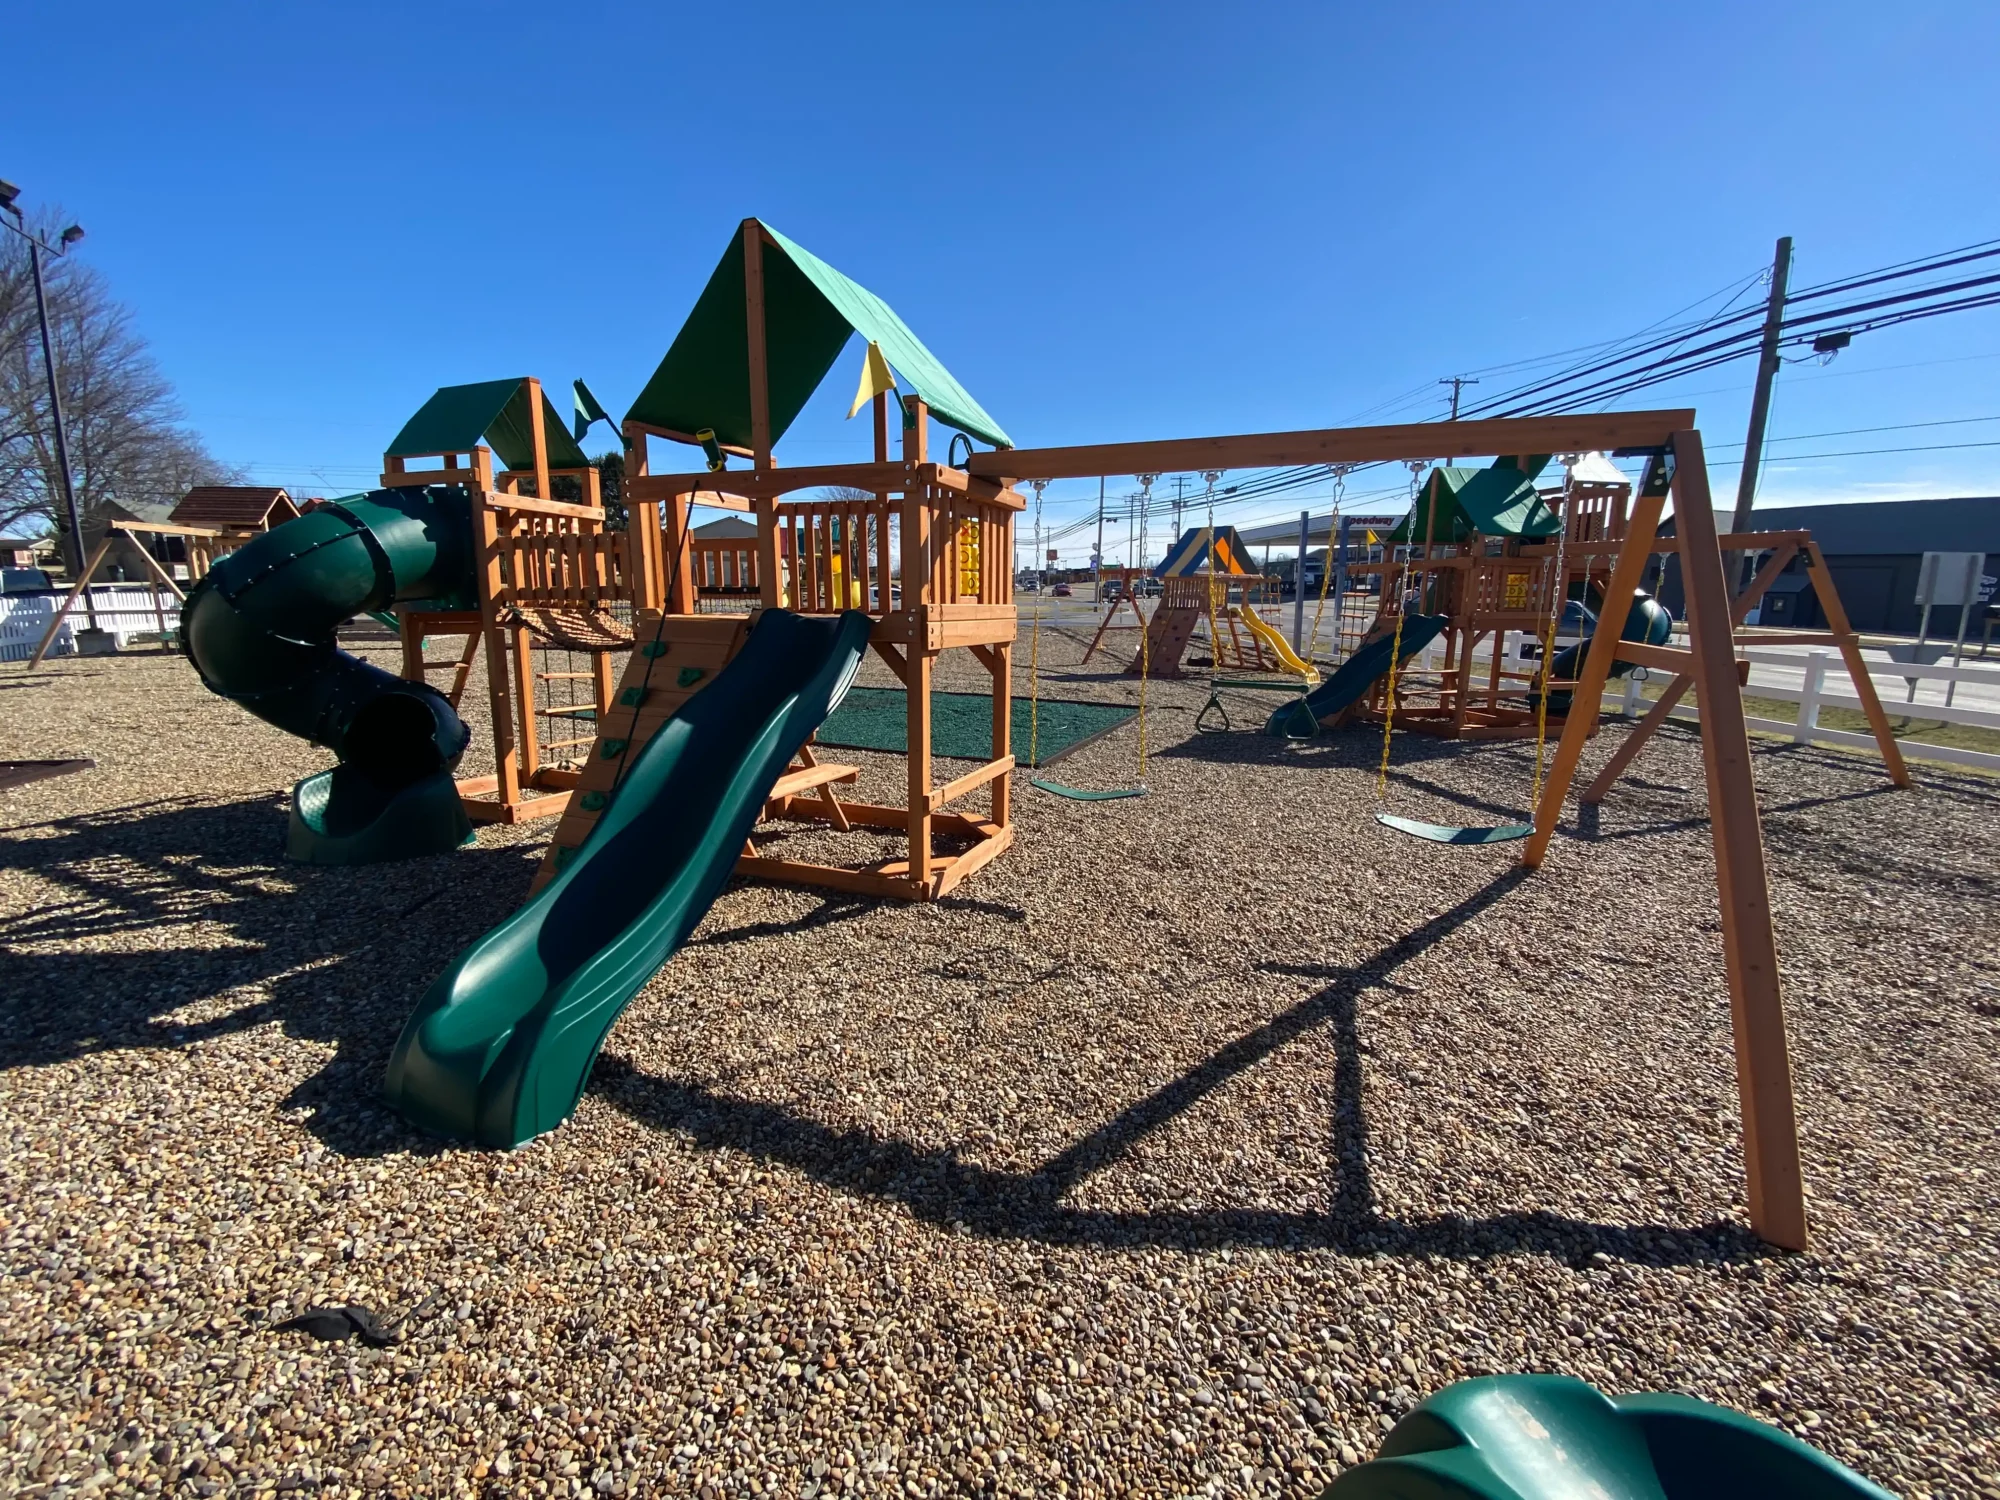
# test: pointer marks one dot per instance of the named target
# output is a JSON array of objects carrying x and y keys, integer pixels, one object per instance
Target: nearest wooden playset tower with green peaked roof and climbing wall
[{"x": 929, "y": 555}]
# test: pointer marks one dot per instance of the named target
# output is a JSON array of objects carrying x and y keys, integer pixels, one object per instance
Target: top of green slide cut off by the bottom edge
[{"x": 1537, "y": 1437}]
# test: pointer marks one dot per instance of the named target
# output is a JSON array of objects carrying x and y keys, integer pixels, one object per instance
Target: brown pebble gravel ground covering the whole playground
[{"x": 1165, "y": 1159}]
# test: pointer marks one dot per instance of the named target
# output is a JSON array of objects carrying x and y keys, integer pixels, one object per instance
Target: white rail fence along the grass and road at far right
[{"x": 1825, "y": 683}]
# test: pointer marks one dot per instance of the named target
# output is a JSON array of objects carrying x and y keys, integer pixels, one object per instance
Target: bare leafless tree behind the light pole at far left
[{"x": 127, "y": 435}]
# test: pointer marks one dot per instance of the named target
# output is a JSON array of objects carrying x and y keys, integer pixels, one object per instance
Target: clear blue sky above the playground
[{"x": 1111, "y": 221}]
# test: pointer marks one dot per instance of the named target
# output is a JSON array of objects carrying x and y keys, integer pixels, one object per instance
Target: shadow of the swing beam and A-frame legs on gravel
[{"x": 941, "y": 1189}]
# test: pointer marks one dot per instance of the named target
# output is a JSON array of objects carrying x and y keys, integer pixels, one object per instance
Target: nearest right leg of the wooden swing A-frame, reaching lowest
[{"x": 1749, "y": 939}]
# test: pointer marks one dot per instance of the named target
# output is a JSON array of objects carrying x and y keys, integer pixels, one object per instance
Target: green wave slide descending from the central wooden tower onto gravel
[{"x": 503, "y": 1043}]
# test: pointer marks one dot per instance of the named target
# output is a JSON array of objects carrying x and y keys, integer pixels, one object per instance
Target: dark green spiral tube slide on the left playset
[{"x": 261, "y": 629}]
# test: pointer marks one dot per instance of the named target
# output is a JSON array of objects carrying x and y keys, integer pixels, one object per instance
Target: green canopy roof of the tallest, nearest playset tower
[{"x": 811, "y": 311}]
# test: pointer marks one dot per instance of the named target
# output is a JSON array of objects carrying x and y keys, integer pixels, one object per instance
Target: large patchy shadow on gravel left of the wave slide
[{"x": 245, "y": 939}]
